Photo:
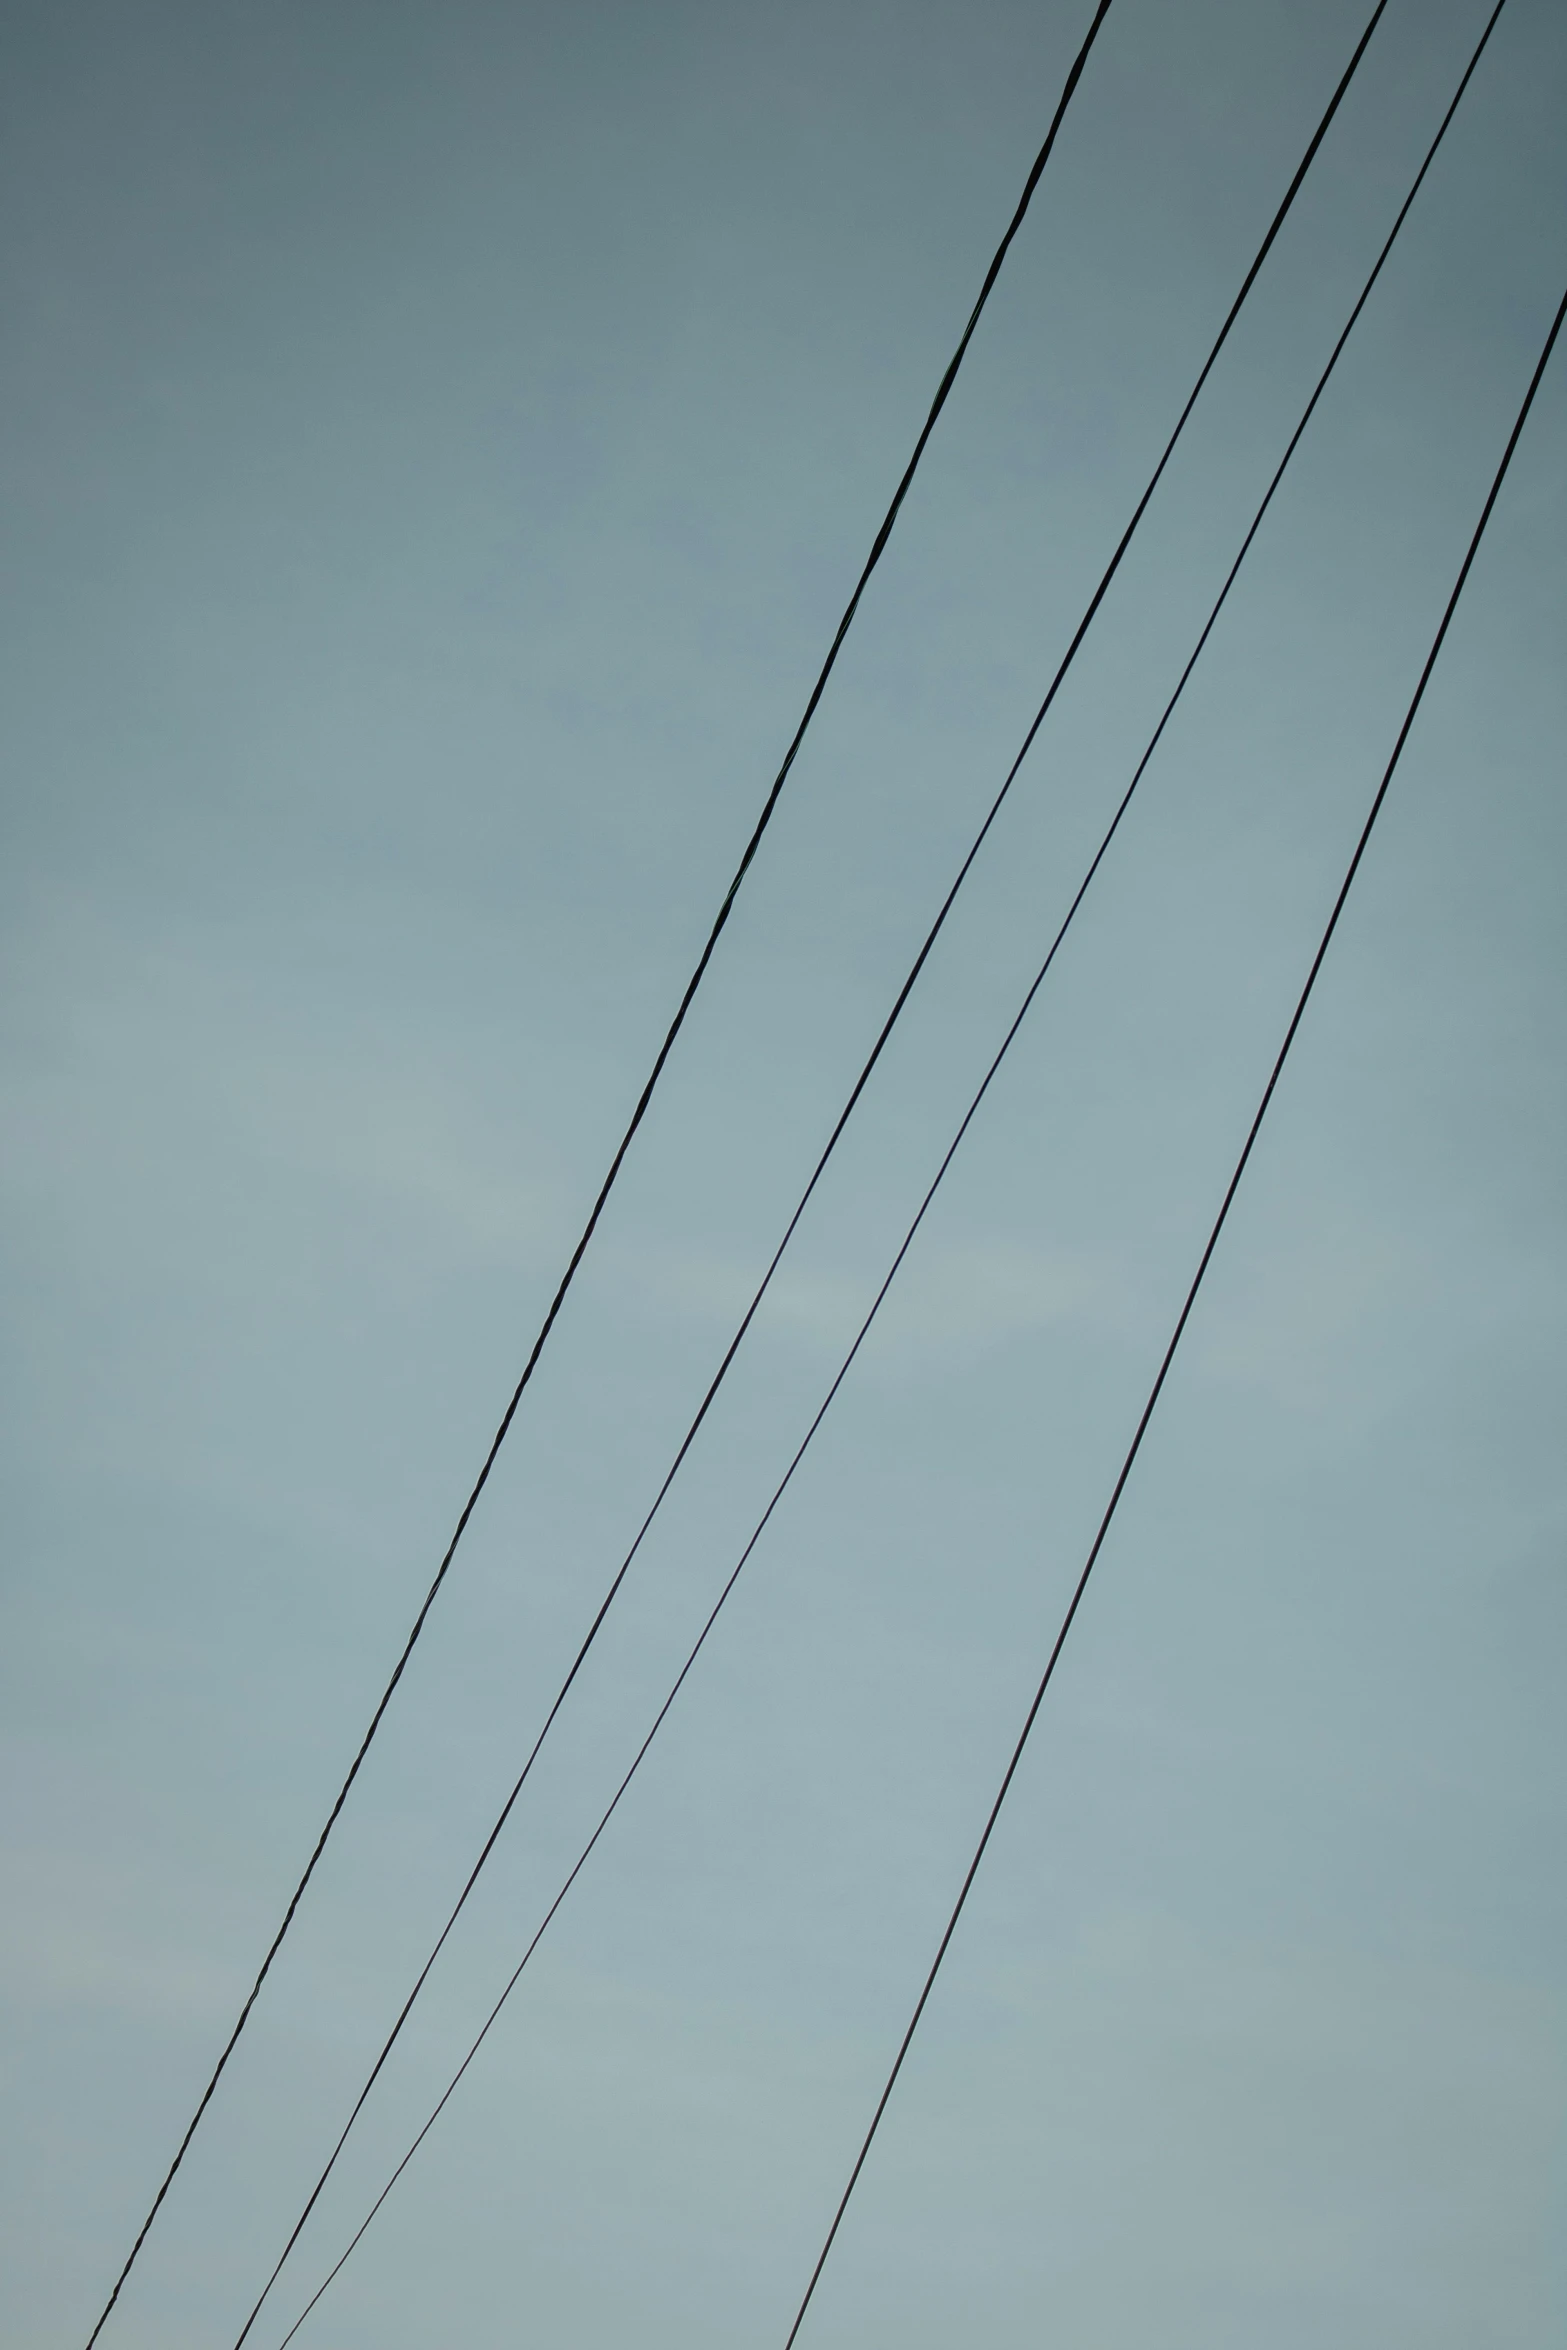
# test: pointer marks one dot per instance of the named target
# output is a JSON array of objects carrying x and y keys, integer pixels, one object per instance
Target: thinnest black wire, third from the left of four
[{"x": 941, "y": 1174}]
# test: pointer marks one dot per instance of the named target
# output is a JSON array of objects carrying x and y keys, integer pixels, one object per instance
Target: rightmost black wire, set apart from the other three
[{"x": 1185, "y": 1315}]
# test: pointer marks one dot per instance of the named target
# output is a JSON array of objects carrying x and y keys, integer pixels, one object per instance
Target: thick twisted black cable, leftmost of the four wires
[{"x": 631, "y": 1132}]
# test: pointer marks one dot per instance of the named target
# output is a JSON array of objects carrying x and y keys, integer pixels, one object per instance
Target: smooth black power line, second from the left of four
[{"x": 830, "y": 1148}]
